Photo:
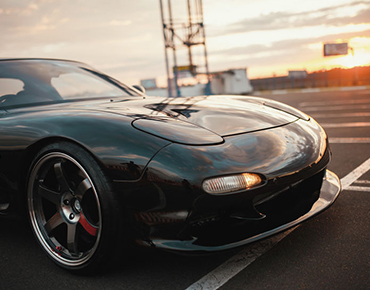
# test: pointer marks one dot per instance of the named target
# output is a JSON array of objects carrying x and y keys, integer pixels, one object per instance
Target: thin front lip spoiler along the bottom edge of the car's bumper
[{"x": 330, "y": 190}]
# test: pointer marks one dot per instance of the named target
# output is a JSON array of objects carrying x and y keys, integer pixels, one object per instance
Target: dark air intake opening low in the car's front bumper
[{"x": 283, "y": 208}]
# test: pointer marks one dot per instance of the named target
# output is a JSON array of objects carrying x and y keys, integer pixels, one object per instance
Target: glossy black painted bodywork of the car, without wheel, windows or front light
[{"x": 158, "y": 151}]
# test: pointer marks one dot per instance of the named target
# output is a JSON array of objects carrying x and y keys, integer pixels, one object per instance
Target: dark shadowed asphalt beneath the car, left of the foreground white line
[{"x": 23, "y": 260}]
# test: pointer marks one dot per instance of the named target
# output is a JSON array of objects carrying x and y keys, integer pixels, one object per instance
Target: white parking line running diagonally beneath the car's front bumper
[{"x": 226, "y": 271}]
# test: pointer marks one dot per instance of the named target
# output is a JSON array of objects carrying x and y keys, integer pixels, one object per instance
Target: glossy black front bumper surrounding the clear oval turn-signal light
[{"x": 178, "y": 171}]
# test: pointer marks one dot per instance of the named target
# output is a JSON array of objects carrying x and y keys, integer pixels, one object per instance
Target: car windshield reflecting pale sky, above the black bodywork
[{"x": 29, "y": 82}]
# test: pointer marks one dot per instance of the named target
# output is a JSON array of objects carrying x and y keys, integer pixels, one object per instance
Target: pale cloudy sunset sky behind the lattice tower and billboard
[{"x": 125, "y": 38}]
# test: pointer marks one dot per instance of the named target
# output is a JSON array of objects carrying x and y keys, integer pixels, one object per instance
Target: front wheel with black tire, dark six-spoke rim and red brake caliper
[{"x": 73, "y": 211}]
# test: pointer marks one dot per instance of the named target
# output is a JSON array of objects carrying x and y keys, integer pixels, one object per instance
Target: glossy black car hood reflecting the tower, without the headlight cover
[{"x": 223, "y": 115}]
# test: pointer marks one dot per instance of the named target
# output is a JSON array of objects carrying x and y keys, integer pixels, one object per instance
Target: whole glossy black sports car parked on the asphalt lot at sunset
[{"x": 99, "y": 165}]
